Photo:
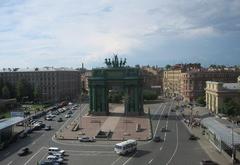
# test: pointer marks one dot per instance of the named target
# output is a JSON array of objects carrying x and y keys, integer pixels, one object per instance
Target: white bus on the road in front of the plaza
[{"x": 126, "y": 147}]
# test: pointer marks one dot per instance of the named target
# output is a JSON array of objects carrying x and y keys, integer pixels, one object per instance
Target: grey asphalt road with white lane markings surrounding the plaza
[{"x": 175, "y": 149}]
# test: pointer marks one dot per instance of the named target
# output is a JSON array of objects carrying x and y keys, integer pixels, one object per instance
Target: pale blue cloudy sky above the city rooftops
[{"x": 67, "y": 33}]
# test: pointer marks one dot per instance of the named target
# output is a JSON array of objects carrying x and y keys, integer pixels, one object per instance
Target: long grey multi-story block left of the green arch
[{"x": 53, "y": 84}]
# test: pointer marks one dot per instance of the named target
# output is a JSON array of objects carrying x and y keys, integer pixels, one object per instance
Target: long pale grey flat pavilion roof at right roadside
[{"x": 221, "y": 131}]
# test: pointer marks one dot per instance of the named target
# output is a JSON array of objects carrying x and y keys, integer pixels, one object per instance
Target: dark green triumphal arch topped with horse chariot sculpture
[{"x": 116, "y": 73}]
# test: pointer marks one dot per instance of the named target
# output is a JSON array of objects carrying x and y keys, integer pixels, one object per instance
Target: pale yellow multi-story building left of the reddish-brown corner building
[{"x": 171, "y": 82}]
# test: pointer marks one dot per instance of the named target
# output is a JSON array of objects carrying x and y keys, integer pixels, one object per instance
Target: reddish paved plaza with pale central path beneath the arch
[{"x": 119, "y": 126}]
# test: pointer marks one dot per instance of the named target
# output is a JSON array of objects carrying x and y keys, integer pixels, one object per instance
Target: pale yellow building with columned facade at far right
[{"x": 217, "y": 92}]
